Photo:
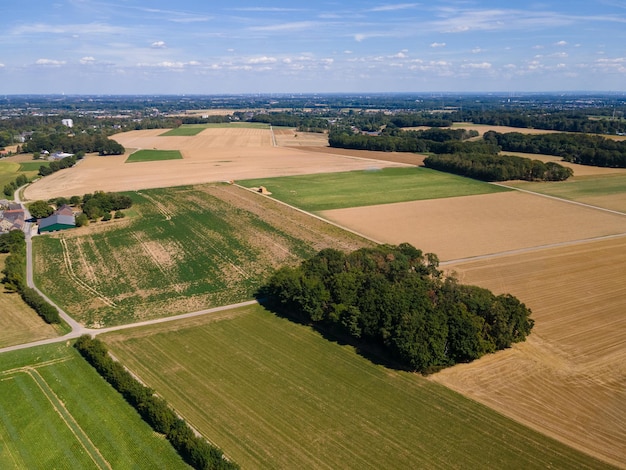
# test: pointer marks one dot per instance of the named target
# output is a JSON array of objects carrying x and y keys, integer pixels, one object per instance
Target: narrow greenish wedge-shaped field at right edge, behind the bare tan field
[{"x": 587, "y": 189}]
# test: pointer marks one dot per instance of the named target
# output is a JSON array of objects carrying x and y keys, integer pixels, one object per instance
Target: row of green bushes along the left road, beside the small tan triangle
[{"x": 14, "y": 272}]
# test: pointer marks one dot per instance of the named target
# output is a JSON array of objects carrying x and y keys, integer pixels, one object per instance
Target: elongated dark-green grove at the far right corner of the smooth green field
[{"x": 498, "y": 167}]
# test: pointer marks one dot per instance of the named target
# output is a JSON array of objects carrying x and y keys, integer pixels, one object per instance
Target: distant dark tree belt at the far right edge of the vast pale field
[{"x": 396, "y": 140}]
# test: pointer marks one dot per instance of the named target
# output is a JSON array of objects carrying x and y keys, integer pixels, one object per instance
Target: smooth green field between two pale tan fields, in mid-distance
[{"x": 329, "y": 191}]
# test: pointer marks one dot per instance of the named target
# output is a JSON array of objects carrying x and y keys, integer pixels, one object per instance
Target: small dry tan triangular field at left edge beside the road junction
[{"x": 18, "y": 322}]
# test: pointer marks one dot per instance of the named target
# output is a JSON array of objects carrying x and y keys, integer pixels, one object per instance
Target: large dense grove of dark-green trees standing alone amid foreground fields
[{"x": 395, "y": 299}]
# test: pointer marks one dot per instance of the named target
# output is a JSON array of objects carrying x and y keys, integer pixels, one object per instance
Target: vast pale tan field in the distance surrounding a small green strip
[{"x": 216, "y": 154}]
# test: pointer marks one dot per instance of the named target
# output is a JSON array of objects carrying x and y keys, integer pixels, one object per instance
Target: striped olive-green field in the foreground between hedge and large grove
[{"x": 275, "y": 394}]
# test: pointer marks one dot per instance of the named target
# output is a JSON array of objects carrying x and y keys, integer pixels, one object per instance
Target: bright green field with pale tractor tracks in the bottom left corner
[{"x": 57, "y": 412}]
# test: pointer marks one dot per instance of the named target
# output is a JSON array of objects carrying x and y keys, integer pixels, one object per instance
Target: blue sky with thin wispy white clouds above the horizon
[{"x": 208, "y": 47}]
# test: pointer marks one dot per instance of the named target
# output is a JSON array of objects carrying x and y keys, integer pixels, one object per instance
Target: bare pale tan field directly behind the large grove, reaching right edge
[{"x": 463, "y": 227}]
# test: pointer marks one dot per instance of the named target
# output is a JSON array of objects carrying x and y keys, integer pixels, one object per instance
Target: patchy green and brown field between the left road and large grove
[{"x": 186, "y": 249}]
